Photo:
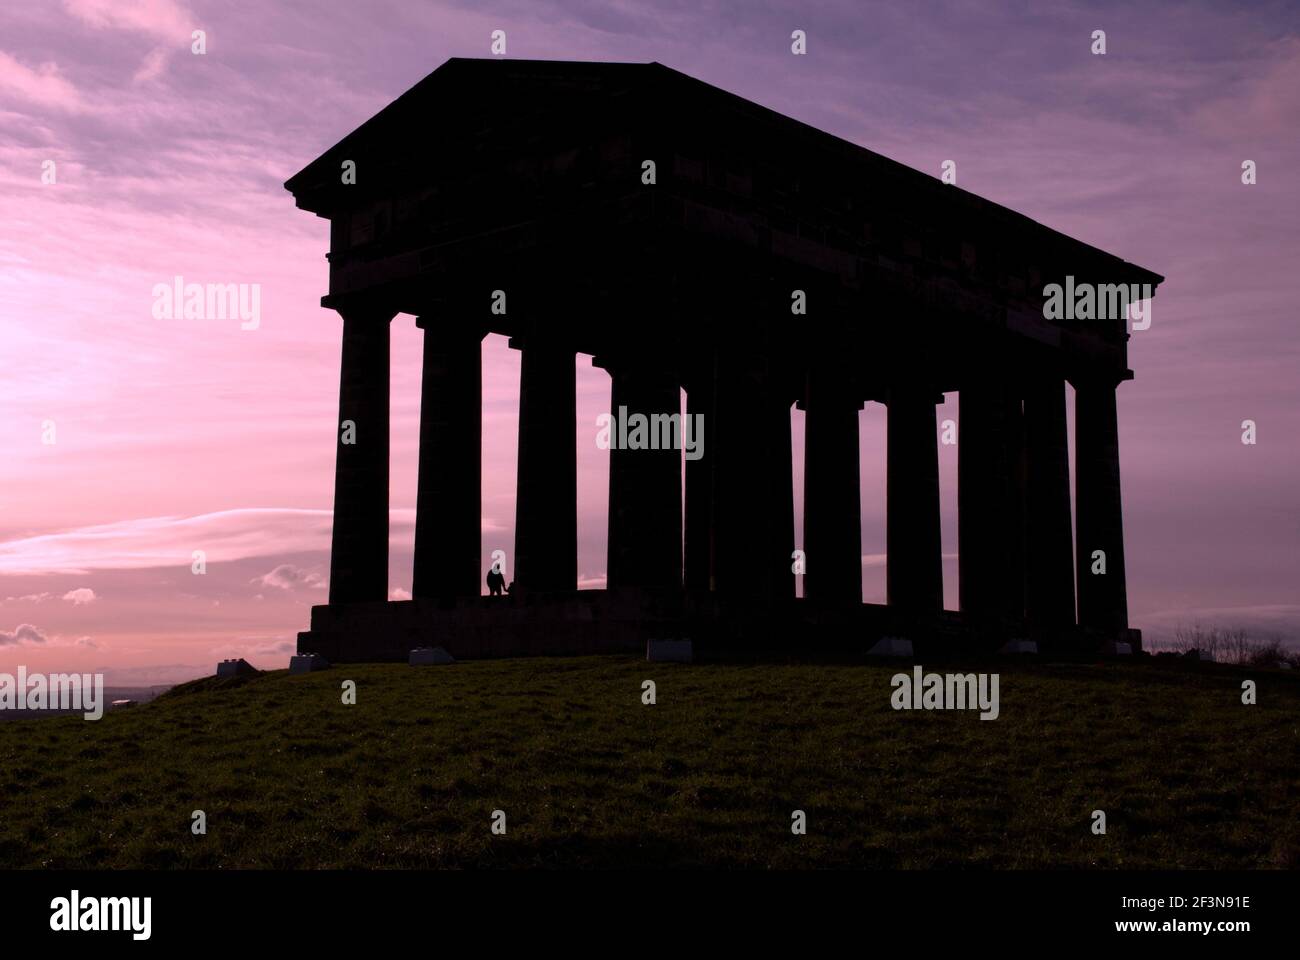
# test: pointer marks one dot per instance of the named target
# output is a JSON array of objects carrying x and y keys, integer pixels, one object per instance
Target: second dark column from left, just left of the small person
[{"x": 449, "y": 501}]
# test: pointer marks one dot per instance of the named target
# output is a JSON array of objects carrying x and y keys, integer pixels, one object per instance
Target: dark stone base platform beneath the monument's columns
[{"x": 623, "y": 621}]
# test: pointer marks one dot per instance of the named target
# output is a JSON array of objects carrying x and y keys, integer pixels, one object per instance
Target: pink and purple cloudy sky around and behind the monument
[{"x": 174, "y": 436}]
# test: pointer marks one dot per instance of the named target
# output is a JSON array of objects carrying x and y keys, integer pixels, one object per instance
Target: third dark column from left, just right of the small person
[{"x": 547, "y": 494}]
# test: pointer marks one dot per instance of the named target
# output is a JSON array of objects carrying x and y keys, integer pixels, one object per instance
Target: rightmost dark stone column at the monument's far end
[{"x": 1099, "y": 525}]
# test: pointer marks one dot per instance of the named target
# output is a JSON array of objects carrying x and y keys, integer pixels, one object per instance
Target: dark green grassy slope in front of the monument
[{"x": 588, "y": 776}]
